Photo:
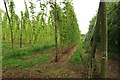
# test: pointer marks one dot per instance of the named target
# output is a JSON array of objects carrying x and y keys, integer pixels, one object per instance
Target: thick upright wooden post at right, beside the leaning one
[{"x": 104, "y": 43}]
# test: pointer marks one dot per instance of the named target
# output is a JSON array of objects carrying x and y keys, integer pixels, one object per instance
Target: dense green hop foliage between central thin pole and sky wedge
[{"x": 70, "y": 32}]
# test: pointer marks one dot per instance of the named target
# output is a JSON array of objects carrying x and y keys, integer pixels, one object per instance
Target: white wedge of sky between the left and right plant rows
[{"x": 85, "y": 10}]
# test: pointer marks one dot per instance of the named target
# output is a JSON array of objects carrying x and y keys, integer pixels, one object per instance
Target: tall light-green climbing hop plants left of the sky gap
[{"x": 59, "y": 27}]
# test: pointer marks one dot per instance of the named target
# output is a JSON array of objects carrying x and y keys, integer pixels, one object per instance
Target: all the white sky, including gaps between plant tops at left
[{"x": 85, "y": 10}]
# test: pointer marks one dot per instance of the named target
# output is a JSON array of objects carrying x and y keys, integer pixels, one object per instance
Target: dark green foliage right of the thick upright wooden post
[{"x": 113, "y": 29}]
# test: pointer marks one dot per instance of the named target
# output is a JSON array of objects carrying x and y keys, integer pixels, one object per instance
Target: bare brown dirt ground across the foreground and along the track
[{"x": 60, "y": 69}]
